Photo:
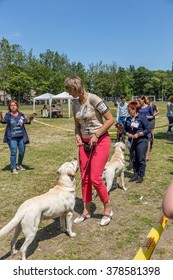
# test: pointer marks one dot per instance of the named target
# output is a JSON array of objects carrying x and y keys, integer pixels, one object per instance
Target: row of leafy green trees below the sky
[{"x": 20, "y": 73}]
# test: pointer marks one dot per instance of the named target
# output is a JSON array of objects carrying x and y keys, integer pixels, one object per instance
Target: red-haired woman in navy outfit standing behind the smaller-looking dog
[{"x": 137, "y": 128}]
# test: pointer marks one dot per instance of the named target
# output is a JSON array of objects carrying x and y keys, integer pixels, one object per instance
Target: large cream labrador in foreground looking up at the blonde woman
[{"x": 57, "y": 202}]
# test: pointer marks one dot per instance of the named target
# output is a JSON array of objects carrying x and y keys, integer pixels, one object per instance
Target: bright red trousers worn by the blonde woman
[{"x": 91, "y": 168}]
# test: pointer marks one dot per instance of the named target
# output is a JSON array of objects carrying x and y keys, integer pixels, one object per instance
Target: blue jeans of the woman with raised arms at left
[{"x": 14, "y": 145}]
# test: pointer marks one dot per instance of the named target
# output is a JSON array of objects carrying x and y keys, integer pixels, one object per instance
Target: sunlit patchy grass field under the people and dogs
[{"x": 52, "y": 142}]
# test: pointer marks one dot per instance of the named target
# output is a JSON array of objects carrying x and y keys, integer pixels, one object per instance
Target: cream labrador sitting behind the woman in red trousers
[{"x": 114, "y": 169}]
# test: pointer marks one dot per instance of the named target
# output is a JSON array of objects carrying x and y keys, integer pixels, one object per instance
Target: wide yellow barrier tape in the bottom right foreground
[{"x": 146, "y": 250}]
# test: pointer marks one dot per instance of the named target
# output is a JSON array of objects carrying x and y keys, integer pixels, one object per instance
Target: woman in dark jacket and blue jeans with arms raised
[{"x": 15, "y": 134}]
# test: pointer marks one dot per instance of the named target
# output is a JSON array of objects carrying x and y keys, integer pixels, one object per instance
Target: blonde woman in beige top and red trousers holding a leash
[{"x": 93, "y": 141}]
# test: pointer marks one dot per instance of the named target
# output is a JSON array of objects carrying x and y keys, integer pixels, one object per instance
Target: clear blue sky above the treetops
[{"x": 127, "y": 32}]
